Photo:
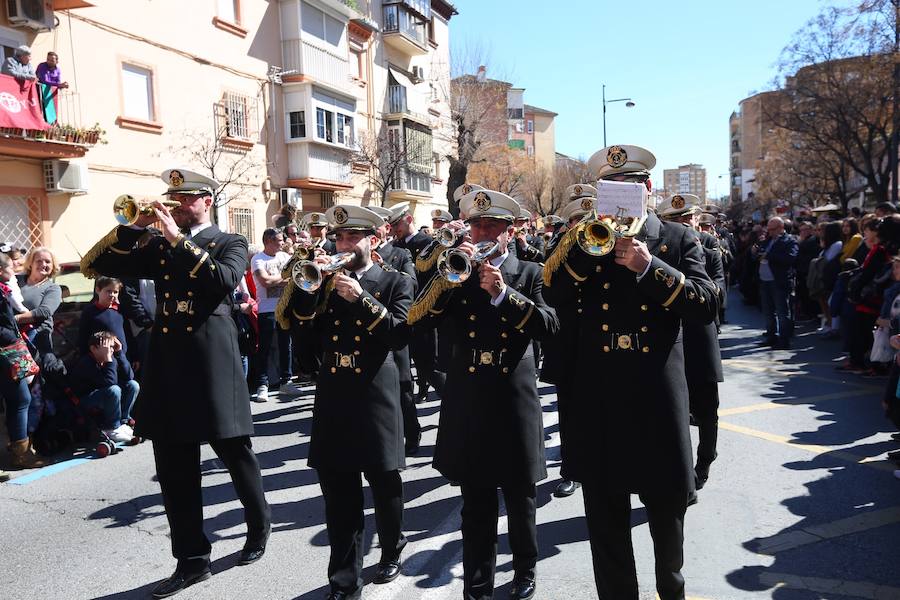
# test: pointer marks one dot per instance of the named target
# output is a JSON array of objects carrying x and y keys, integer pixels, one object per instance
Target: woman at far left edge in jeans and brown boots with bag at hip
[{"x": 15, "y": 392}]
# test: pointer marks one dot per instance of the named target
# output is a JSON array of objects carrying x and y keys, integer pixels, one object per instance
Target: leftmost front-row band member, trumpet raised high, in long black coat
[{"x": 193, "y": 391}]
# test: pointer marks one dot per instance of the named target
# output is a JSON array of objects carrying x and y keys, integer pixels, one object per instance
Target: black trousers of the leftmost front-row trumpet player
[{"x": 178, "y": 470}]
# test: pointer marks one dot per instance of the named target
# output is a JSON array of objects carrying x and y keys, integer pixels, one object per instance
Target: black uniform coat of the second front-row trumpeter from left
[{"x": 357, "y": 423}]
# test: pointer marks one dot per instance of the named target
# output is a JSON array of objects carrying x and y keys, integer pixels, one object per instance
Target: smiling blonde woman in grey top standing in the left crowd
[{"x": 41, "y": 296}]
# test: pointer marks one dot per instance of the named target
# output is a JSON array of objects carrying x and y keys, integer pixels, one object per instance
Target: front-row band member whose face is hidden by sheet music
[{"x": 627, "y": 427}]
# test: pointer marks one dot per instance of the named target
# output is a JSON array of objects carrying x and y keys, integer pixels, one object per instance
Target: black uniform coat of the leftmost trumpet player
[{"x": 193, "y": 388}]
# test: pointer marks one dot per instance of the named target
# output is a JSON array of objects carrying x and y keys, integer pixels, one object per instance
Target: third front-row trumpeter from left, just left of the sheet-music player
[{"x": 491, "y": 432}]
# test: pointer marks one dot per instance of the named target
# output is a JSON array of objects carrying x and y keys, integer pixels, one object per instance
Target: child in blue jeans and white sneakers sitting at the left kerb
[{"x": 103, "y": 378}]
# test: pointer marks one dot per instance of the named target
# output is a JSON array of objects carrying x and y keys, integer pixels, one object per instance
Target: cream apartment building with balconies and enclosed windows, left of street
[{"x": 270, "y": 96}]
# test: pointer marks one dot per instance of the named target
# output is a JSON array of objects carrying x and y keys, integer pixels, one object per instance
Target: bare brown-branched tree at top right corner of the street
[{"x": 841, "y": 93}]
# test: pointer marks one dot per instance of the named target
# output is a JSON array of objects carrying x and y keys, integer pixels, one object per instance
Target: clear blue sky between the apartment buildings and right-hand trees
[{"x": 685, "y": 63}]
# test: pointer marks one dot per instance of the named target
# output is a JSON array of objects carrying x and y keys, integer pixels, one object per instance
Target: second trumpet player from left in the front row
[{"x": 355, "y": 319}]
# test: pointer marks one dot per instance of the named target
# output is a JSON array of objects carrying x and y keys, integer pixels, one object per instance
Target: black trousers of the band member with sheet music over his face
[{"x": 609, "y": 527}]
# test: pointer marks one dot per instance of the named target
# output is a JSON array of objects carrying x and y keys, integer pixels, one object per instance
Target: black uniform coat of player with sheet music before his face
[{"x": 627, "y": 421}]
